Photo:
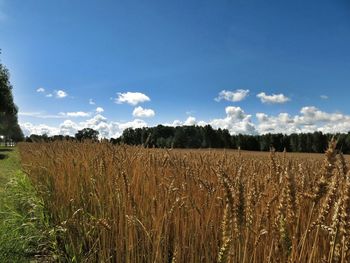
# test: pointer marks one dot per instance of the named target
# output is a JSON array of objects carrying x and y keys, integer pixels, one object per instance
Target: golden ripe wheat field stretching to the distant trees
[{"x": 132, "y": 204}]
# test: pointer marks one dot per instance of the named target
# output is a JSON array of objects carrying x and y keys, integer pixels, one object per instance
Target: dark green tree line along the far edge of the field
[{"x": 207, "y": 137}]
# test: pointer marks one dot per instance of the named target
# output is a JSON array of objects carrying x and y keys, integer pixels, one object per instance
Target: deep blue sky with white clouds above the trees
[{"x": 180, "y": 55}]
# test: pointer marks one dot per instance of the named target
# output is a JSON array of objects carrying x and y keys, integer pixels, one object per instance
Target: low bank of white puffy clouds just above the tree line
[{"x": 309, "y": 119}]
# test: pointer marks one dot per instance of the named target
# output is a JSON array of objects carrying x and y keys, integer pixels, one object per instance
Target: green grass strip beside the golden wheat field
[{"x": 23, "y": 227}]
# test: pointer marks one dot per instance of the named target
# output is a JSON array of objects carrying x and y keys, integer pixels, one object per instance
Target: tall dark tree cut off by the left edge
[{"x": 8, "y": 110}]
